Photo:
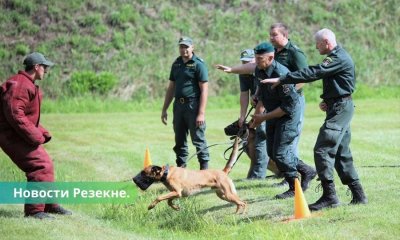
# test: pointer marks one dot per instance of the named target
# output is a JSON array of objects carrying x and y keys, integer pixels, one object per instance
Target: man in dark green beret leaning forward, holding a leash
[{"x": 282, "y": 115}]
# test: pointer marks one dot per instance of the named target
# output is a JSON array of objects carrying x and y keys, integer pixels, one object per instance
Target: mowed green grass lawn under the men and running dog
[{"x": 111, "y": 147}]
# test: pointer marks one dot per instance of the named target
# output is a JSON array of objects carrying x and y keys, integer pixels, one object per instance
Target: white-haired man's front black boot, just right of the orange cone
[{"x": 328, "y": 199}]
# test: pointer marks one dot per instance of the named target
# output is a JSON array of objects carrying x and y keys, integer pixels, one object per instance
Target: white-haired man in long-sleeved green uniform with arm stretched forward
[{"x": 332, "y": 149}]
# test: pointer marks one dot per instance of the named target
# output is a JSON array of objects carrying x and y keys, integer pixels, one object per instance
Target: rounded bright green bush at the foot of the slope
[{"x": 83, "y": 83}]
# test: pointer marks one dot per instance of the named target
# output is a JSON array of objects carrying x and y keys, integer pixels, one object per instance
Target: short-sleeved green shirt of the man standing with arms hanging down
[{"x": 187, "y": 77}]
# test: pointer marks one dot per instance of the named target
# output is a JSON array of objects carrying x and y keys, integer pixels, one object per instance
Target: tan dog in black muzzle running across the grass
[{"x": 184, "y": 182}]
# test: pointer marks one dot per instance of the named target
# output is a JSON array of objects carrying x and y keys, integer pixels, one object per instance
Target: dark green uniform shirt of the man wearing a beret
[{"x": 283, "y": 96}]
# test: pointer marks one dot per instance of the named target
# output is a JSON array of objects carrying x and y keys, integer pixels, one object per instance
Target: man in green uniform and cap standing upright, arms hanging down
[{"x": 189, "y": 86}]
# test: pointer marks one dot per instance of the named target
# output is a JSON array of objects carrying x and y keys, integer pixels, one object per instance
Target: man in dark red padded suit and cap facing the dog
[{"x": 21, "y": 135}]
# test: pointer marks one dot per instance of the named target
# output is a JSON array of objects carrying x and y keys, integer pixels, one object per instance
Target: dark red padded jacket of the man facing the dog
[{"x": 20, "y": 110}]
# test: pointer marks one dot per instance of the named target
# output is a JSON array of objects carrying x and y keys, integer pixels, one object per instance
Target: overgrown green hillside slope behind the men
[{"x": 136, "y": 40}]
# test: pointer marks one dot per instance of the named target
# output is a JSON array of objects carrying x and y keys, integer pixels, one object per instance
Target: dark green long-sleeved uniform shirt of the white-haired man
[{"x": 336, "y": 70}]
